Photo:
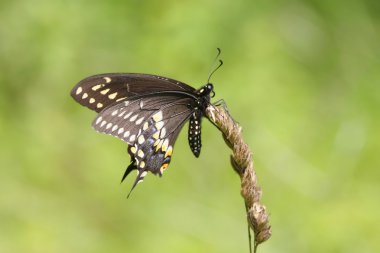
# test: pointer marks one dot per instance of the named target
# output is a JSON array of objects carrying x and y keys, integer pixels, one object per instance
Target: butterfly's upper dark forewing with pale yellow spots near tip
[{"x": 100, "y": 91}]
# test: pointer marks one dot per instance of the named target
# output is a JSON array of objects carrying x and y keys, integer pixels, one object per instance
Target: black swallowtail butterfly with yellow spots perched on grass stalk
[{"x": 147, "y": 112}]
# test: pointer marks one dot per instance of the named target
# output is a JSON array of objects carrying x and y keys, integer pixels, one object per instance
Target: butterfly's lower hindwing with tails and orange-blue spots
[{"x": 150, "y": 125}]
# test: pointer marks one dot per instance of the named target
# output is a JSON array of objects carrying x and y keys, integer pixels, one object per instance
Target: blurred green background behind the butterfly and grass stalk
[{"x": 301, "y": 77}]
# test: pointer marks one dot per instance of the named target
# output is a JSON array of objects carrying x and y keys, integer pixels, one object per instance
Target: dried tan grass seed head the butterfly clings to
[{"x": 242, "y": 162}]
